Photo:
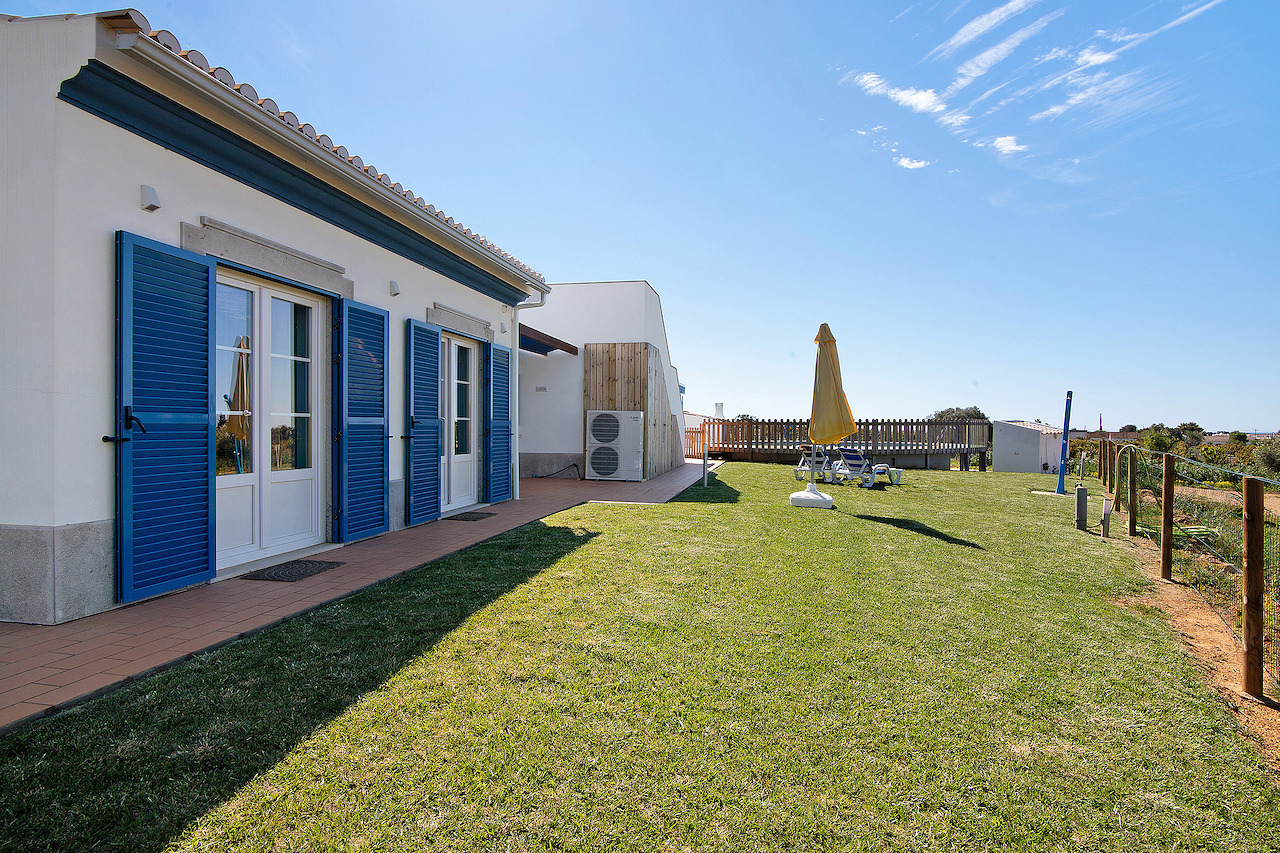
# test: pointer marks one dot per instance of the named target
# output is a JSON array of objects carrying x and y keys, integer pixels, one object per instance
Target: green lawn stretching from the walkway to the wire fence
[{"x": 935, "y": 665}]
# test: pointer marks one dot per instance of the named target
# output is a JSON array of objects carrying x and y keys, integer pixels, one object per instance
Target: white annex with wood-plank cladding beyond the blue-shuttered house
[{"x": 598, "y": 346}]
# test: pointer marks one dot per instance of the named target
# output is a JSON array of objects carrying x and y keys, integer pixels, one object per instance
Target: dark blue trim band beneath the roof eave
[{"x": 126, "y": 103}]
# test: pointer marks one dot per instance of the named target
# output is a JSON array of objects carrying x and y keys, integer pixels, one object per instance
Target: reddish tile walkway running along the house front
[{"x": 44, "y": 668}]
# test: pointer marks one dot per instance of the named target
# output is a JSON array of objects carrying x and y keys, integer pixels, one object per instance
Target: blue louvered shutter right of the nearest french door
[{"x": 362, "y": 483}]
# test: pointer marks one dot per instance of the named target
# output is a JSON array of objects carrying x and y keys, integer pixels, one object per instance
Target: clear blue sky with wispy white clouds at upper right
[{"x": 990, "y": 203}]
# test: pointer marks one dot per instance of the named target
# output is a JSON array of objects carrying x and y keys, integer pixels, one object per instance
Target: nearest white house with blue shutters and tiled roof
[{"x": 225, "y": 340}]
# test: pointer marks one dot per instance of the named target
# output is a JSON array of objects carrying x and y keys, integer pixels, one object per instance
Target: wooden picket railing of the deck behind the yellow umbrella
[{"x": 874, "y": 436}]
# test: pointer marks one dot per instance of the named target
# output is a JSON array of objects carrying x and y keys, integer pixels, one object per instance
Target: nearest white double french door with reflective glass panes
[{"x": 269, "y": 403}]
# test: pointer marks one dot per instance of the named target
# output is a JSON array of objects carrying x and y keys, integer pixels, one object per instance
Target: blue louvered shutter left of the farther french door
[{"x": 423, "y": 423}]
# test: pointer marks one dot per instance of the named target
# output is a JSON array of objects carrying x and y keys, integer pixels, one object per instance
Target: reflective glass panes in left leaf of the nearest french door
[{"x": 234, "y": 362}]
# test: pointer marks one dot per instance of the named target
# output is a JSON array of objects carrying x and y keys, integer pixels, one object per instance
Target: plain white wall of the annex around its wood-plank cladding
[{"x": 584, "y": 313}]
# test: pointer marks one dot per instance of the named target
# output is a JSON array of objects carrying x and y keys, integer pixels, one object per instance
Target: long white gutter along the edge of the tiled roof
[{"x": 157, "y": 57}]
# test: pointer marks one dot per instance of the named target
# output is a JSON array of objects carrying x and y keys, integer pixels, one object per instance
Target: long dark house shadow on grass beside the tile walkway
[{"x": 134, "y": 769}]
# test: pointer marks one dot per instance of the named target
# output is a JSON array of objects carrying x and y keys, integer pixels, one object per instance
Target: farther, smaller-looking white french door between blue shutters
[{"x": 460, "y": 394}]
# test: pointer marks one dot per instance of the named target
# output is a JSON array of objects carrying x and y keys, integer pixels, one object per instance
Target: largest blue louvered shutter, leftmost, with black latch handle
[{"x": 164, "y": 380}]
